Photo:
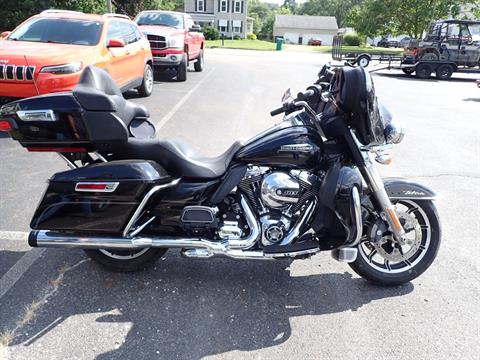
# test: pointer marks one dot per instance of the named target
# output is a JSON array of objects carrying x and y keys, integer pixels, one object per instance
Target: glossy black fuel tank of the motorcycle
[{"x": 296, "y": 146}]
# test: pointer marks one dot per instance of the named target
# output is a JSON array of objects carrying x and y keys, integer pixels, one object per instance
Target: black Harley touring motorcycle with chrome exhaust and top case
[{"x": 306, "y": 185}]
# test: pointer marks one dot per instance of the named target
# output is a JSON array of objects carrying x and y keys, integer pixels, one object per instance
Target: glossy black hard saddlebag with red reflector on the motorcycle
[{"x": 97, "y": 198}]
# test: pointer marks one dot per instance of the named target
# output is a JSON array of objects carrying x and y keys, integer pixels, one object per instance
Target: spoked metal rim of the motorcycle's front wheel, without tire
[{"x": 386, "y": 255}]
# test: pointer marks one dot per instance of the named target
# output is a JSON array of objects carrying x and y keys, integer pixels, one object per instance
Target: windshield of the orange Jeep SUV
[{"x": 61, "y": 31}]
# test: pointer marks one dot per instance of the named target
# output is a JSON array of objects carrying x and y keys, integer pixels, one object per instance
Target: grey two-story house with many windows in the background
[{"x": 228, "y": 16}]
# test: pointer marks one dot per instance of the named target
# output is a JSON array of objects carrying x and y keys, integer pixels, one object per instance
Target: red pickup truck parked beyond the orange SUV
[{"x": 174, "y": 40}]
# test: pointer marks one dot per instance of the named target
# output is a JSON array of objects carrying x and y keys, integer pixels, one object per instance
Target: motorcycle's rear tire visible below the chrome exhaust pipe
[{"x": 115, "y": 262}]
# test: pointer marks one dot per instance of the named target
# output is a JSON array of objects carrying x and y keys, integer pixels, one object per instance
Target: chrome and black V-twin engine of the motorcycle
[{"x": 279, "y": 196}]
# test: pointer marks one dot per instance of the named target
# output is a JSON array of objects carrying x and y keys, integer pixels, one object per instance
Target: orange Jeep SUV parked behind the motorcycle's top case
[{"x": 55, "y": 46}]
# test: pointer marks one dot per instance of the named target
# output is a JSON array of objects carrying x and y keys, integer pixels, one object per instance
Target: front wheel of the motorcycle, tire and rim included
[{"x": 387, "y": 263}]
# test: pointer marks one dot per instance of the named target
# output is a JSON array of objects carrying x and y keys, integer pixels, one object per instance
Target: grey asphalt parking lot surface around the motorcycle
[{"x": 56, "y": 304}]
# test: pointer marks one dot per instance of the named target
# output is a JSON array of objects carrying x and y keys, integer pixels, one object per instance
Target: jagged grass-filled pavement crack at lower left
[{"x": 31, "y": 310}]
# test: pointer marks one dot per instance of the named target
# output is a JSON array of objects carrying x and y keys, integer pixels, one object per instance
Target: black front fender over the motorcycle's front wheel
[{"x": 401, "y": 188}]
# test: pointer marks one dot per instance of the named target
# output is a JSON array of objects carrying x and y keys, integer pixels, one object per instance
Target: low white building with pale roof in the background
[{"x": 299, "y": 29}]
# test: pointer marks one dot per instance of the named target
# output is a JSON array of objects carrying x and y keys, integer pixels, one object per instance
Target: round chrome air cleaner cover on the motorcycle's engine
[{"x": 279, "y": 190}]
